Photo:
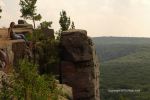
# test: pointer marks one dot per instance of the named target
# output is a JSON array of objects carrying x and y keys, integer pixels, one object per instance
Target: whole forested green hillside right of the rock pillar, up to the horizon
[{"x": 125, "y": 65}]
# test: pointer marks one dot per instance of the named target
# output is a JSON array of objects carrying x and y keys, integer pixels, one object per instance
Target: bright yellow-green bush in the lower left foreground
[{"x": 32, "y": 83}]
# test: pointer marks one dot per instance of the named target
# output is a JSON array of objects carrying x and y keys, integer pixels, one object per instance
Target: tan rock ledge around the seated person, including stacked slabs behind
[{"x": 14, "y": 49}]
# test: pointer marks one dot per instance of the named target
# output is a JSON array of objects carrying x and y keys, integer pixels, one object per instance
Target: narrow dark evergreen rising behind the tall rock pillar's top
[{"x": 64, "y": 21}]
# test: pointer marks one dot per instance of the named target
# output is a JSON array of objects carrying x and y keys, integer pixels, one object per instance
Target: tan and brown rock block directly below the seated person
[{"x": 14, "y": 50}]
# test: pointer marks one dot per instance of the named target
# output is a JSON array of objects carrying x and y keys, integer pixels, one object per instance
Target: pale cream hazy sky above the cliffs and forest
[{"x": 125, "y": 18}]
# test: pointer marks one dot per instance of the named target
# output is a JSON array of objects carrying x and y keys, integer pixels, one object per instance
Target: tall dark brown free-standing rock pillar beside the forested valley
[{"x": 79, "y": 65}]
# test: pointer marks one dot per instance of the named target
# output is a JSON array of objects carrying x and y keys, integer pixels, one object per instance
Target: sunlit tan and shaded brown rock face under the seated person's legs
[{"x": 15, "y": 50}]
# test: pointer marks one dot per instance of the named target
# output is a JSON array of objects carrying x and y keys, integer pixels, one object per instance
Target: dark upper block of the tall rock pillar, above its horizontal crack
[{"x": 75, "y": 46}]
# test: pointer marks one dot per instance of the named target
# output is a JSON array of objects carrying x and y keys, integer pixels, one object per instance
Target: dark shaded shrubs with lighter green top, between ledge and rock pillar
[{"x": 47, "y": 50}]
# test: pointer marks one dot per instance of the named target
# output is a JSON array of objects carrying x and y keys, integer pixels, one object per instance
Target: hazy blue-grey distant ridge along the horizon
[{"x": 109, "y": 48}]
